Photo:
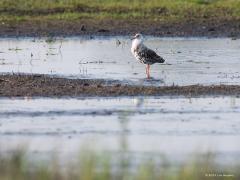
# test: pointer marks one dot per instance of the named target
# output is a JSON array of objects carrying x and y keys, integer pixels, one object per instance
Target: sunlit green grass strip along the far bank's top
[{"x": 123, "y": 9}]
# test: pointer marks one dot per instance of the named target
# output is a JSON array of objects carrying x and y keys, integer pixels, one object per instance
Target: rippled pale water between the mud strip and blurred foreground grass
[{"x": 175, "y": 127}]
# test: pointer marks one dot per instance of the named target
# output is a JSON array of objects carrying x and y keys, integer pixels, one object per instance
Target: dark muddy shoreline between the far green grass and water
[{"x": 208, "y": 27}]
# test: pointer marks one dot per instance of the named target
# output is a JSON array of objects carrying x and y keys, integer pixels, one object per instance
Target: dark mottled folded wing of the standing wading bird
[{"x": 150, "y": 56}]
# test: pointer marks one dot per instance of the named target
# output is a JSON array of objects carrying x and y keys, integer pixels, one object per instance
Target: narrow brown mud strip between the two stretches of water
[{"x": 41, "y": 85}]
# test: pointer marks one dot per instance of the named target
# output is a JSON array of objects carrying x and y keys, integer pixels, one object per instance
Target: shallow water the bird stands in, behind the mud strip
[{"x": 188, "y": 60}]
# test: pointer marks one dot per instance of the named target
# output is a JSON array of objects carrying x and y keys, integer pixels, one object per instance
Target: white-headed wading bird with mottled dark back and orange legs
[{"x": 144, "y": 54}]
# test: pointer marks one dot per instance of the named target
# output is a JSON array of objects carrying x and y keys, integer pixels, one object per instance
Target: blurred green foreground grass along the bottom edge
[{"x": 103, "y": 167}]
